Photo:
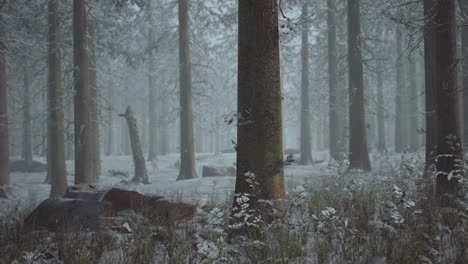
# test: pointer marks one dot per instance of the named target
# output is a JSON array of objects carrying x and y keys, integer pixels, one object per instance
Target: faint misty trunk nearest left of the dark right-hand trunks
[{"x": 413, "y": 108}]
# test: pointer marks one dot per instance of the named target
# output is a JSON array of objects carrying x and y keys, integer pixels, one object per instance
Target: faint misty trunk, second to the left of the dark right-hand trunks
[{"x": 400, "y": 144}]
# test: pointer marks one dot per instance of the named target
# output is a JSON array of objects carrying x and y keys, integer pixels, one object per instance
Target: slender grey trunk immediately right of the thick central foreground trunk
[{"x": 306, "y": 146}]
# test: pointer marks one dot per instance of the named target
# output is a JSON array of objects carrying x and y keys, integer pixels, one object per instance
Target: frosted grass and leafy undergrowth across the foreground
[{"x": 386, "y": 216}]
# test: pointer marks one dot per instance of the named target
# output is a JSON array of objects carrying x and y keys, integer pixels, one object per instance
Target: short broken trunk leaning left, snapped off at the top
[{"x": 141, "y": 174}]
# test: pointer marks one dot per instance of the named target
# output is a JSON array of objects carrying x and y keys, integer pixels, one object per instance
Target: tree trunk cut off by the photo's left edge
[{"x": 4, "y": 150}]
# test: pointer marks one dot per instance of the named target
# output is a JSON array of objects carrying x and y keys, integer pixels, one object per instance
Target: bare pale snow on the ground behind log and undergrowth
[{"x": 30, "y": 190}]
